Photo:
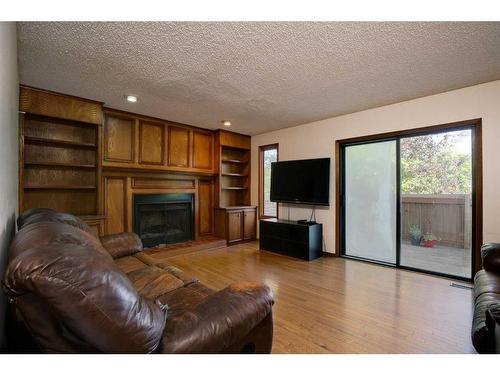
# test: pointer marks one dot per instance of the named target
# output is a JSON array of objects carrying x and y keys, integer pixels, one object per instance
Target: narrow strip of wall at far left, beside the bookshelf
[{"x": 8, "y": 148}]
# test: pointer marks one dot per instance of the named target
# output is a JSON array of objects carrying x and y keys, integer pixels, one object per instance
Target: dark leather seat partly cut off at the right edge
[{"x": 485, "y": 330}]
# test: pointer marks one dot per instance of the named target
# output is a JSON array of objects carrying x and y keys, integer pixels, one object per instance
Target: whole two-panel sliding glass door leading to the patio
[{"x": 408, "y": 200}]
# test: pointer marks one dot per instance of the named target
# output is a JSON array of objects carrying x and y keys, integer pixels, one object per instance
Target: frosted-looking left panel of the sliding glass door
[{"x": 370, "y": 201}]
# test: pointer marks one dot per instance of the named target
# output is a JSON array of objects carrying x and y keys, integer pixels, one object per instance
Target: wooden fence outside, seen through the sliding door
[{"x": 447, "y": 216}]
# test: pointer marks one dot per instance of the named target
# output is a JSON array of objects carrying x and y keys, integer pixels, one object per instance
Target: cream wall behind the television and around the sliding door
[{"x": 317, "y": 139}]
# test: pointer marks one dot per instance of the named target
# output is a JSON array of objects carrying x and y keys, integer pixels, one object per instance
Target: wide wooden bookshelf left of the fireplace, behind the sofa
[{"x": 59, "y": 153}]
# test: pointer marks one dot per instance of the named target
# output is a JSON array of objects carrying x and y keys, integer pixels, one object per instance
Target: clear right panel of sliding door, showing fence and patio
[{"x": 436, "y": 202}]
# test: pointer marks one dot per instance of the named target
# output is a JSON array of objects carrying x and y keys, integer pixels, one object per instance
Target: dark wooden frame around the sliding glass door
[{"x": 475, "y": 125}]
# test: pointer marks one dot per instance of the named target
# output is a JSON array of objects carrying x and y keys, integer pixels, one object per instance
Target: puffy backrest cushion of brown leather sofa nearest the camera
[{"x": 90, "y": 296}]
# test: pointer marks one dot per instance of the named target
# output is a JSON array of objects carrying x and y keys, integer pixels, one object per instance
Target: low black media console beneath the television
[{"x": 287, "y": 237}]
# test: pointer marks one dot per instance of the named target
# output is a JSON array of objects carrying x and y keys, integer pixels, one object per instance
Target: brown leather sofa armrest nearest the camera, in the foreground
[{"x": 219, "y": 321}]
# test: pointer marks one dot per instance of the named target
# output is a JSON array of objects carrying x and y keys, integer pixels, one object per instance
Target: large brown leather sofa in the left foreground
[{"x": 73, "y": 292}]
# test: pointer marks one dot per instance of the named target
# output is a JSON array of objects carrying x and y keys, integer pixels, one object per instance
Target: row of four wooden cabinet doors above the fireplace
[{"x": 132, "y": 141}]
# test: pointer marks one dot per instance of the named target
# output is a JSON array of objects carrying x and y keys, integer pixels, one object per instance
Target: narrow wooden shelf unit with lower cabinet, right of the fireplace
[{"x": 235, "y": 218}]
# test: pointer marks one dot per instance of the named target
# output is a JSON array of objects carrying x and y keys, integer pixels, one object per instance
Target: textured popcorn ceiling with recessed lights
[{"x": 262, "y": 76}]
